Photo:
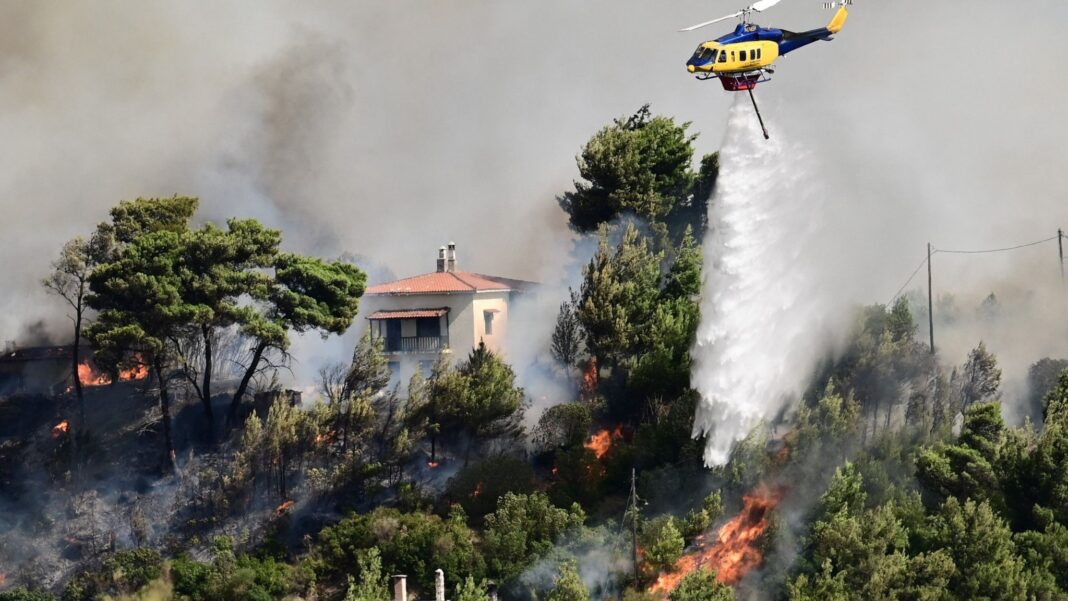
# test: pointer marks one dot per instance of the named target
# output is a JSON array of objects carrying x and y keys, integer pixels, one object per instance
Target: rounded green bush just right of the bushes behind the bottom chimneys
[{"x": 524, "y": 529}]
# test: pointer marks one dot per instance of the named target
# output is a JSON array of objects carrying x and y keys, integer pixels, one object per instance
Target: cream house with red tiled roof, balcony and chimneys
[{"x": 447, "y": 311}]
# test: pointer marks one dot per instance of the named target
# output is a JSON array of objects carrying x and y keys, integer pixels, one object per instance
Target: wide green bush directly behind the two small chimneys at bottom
[{"x": 411, "y": 544}]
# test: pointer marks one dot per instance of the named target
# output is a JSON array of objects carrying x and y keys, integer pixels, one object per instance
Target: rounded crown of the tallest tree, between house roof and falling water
[{"x": 639, "y": 166}]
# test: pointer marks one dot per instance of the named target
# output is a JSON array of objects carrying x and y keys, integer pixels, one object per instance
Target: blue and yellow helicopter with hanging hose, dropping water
[{"x": 746, "y": 57}]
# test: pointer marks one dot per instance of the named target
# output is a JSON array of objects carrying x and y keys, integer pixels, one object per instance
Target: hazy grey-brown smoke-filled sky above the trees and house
[{"x": 389, "y": 129}]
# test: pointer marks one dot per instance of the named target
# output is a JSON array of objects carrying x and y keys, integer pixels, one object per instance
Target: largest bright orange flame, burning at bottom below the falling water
[{"x": 735, "y": 551}]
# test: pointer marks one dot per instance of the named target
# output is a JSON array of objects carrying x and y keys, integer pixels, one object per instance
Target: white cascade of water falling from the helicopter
[{"x": 763, "y": 318}]
